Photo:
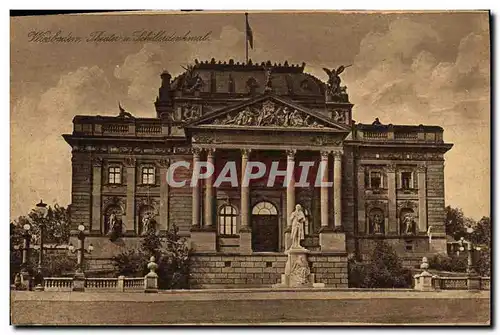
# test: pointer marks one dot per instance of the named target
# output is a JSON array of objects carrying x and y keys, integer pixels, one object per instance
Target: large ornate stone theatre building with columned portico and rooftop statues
[{"x": 381, "y": 181}]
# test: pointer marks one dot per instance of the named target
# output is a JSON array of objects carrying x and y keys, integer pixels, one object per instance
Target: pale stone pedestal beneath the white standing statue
[{"x": 297, "y": 272}]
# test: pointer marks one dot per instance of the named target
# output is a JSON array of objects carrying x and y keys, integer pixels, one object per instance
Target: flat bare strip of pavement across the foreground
[{"x": 203, "y": 307}]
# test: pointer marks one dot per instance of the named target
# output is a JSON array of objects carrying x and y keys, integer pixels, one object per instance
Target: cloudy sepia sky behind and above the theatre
[{"x": 407, "y": 68}]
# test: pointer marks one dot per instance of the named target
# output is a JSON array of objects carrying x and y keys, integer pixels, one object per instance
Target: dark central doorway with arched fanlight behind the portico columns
[{"x": 265, "y": 227}]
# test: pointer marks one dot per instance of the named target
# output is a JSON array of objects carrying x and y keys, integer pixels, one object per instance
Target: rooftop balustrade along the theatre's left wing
[{"x": 119, "y": 127}]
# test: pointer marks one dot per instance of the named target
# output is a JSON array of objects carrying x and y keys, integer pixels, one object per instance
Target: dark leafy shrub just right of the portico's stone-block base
[{"x": 384, "y": 270}]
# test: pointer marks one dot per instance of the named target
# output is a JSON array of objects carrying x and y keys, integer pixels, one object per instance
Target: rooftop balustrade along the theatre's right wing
[{"x": 398, "y": 133}]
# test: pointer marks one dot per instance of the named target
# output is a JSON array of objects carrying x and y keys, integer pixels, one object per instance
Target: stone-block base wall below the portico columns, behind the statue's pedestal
[{"x": 216, "y": 270}]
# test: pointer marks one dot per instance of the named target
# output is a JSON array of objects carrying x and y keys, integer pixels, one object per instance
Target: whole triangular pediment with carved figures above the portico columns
[{"x": 267, "y": 111}]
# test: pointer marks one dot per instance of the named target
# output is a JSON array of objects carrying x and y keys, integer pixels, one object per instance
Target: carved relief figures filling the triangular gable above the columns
[{"x": 269, "y": 115}]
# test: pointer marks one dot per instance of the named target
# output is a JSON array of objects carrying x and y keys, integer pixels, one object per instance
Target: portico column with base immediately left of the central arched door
[{"x": 245, "y": 231}]
